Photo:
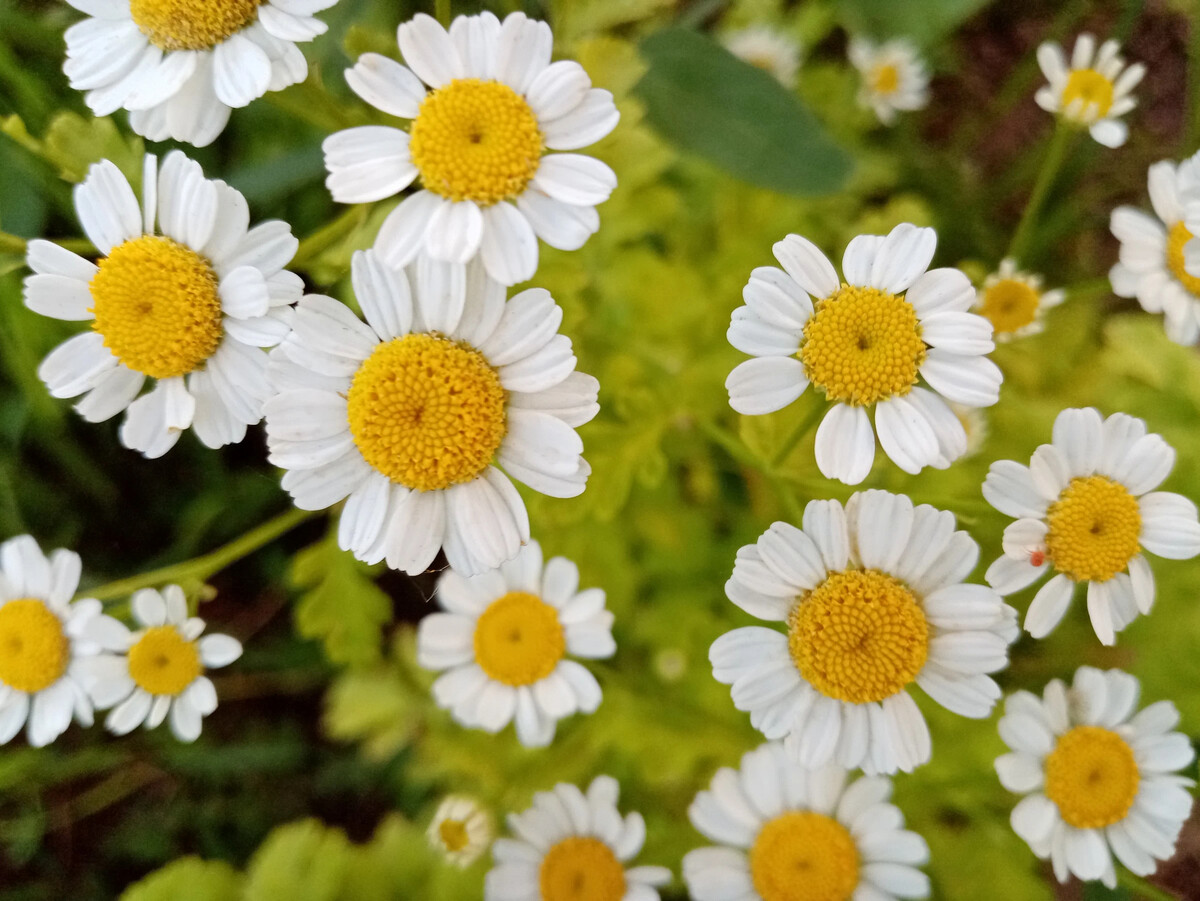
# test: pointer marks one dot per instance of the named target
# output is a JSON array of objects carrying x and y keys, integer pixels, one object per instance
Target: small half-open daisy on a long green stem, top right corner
[{"x": 1094, "y": 92}]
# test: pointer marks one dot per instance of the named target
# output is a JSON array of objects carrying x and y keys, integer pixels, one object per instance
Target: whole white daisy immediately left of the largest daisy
[{"x": 187, "y": 310}]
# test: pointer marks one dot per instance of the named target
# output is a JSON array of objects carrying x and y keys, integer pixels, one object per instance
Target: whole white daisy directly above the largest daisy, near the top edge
[{"x": 485, "y": 105}]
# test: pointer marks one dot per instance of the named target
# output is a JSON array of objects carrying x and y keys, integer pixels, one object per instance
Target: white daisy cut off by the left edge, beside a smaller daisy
[{"x": 43, "y": 642}]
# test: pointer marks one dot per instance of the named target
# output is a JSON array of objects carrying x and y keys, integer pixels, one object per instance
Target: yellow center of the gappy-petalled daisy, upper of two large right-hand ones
[{"x": 862, "y": 346}]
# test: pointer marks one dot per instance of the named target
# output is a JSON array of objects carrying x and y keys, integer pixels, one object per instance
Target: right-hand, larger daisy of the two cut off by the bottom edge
[{"x": 789, "y": 833}]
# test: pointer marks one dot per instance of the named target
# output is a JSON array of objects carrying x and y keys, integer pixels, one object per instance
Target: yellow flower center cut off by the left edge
[{"x": 34, "y": 648}]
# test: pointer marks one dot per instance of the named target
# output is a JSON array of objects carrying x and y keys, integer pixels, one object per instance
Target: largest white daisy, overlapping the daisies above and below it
[{"x": 407, "y": 415}]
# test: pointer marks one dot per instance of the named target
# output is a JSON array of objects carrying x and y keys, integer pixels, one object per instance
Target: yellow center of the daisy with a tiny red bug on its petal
[{"x": 1095, "y": 526}]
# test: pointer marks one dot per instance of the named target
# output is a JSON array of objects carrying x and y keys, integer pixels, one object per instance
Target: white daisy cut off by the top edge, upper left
[{"x": 181, "y": 65}]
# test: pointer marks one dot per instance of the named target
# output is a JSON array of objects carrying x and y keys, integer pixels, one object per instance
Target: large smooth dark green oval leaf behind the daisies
[{"x": 707, "y": 101}]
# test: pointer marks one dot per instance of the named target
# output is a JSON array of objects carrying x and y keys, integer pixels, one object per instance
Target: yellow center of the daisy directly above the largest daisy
[{"x": 476, "y": 141}]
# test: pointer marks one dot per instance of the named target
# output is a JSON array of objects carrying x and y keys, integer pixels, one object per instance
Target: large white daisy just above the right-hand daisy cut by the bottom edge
[{"x": 873, "y": 599}]
